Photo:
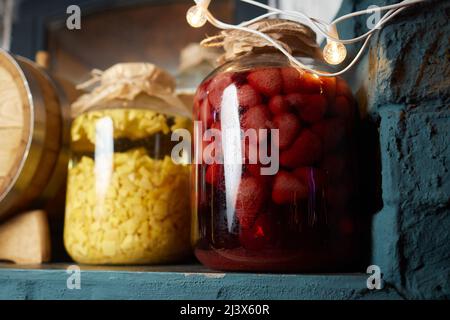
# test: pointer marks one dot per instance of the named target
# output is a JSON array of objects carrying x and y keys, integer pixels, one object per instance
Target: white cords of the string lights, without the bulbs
[{"x": 393, "y": 10}]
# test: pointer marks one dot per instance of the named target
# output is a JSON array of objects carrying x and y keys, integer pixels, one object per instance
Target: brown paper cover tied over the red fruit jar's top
[{"x": 298, "y": 39}]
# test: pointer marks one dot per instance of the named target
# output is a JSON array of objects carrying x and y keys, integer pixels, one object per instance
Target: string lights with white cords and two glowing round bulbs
[{"x": 334, "y": 51}]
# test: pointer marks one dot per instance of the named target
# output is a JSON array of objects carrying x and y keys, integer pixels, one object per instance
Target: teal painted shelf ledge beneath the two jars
[{"x": 192, "y": 282}]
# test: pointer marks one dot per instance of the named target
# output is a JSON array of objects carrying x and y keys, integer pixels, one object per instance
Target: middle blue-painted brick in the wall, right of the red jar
[{"x": 415, "y": 155}]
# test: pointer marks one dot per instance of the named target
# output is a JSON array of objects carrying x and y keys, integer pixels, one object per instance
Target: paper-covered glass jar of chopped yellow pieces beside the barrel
[{"x": 127, "y": 200}]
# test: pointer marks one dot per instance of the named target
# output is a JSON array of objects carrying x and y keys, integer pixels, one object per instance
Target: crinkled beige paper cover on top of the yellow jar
[{"x": 131, "y": 85}]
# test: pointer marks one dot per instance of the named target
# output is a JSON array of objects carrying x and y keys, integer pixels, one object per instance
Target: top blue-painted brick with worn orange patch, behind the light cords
[{"x": 408, "y": 60}]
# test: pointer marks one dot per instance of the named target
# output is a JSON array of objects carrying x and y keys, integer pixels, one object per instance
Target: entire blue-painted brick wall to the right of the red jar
[{"x": 405, "y": 90}]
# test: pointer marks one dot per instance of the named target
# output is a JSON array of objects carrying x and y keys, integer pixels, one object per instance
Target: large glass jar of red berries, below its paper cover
[{"x": 300, "y": 217}]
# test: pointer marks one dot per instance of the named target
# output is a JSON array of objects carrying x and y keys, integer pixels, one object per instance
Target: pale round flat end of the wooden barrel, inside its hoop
[{"x": 15, "y": 121}]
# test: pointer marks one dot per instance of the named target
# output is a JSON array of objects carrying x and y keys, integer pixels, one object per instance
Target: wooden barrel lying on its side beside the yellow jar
[{"x": 34, "y": 135}]
